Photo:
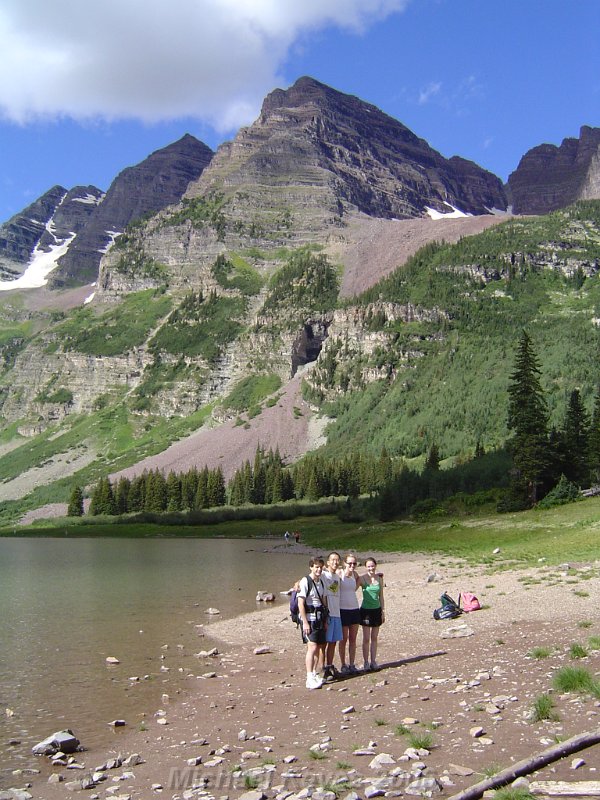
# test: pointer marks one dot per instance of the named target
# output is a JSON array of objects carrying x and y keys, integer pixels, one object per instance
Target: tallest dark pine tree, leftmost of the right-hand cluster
[{"x": 528, "y": 418}]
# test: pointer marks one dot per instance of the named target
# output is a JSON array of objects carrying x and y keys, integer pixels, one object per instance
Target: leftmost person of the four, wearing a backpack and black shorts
[{"x": 312, "y": 607}]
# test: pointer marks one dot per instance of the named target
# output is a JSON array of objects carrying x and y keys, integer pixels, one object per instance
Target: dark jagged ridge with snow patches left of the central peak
[{"x": 86, "y": 221}]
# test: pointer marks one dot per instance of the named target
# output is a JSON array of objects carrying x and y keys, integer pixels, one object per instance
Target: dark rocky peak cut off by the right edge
[{"x": 550, "y": 177}]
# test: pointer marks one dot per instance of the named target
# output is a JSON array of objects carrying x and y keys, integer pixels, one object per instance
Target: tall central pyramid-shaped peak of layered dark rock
[{"x": 323, "y": 154}]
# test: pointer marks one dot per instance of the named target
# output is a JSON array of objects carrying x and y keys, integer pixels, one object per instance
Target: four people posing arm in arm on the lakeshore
[{"x": 330, "y": 614}]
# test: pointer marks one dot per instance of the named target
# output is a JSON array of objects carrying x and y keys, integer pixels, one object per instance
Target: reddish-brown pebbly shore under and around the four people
[{"x": 248, "y": 720}]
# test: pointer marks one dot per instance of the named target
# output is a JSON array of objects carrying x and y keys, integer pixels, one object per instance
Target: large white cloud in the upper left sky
[{"x": 158, "y": 59}]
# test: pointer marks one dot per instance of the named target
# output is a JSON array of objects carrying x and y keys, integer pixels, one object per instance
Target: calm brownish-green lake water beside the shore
[{"x": 66, "y": 605}]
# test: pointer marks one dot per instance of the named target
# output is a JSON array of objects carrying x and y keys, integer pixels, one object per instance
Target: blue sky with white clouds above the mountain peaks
[{"x": 89, "y": 89}]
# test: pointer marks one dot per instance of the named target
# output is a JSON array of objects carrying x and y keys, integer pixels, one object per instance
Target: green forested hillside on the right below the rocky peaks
[{"x": 539, "y": 274}]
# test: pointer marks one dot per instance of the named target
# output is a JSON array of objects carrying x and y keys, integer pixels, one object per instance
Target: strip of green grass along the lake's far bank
[{"x": 566, "y": 533}]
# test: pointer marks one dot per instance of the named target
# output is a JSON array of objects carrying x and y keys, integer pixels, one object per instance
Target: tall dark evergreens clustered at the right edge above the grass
[{"x": 540, "y": 454}]
